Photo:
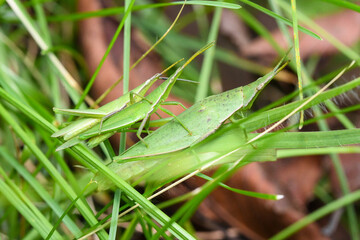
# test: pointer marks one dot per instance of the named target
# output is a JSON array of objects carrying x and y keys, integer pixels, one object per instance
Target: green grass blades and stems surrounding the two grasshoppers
[{"x": 49, "y": 194}]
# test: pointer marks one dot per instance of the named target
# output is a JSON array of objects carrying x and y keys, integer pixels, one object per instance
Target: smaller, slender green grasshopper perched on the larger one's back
[{"x": 126, "y": 115}]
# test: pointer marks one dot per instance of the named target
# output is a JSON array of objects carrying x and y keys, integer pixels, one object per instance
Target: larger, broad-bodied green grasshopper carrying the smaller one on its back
[{"x": 202, "y": 119}]
